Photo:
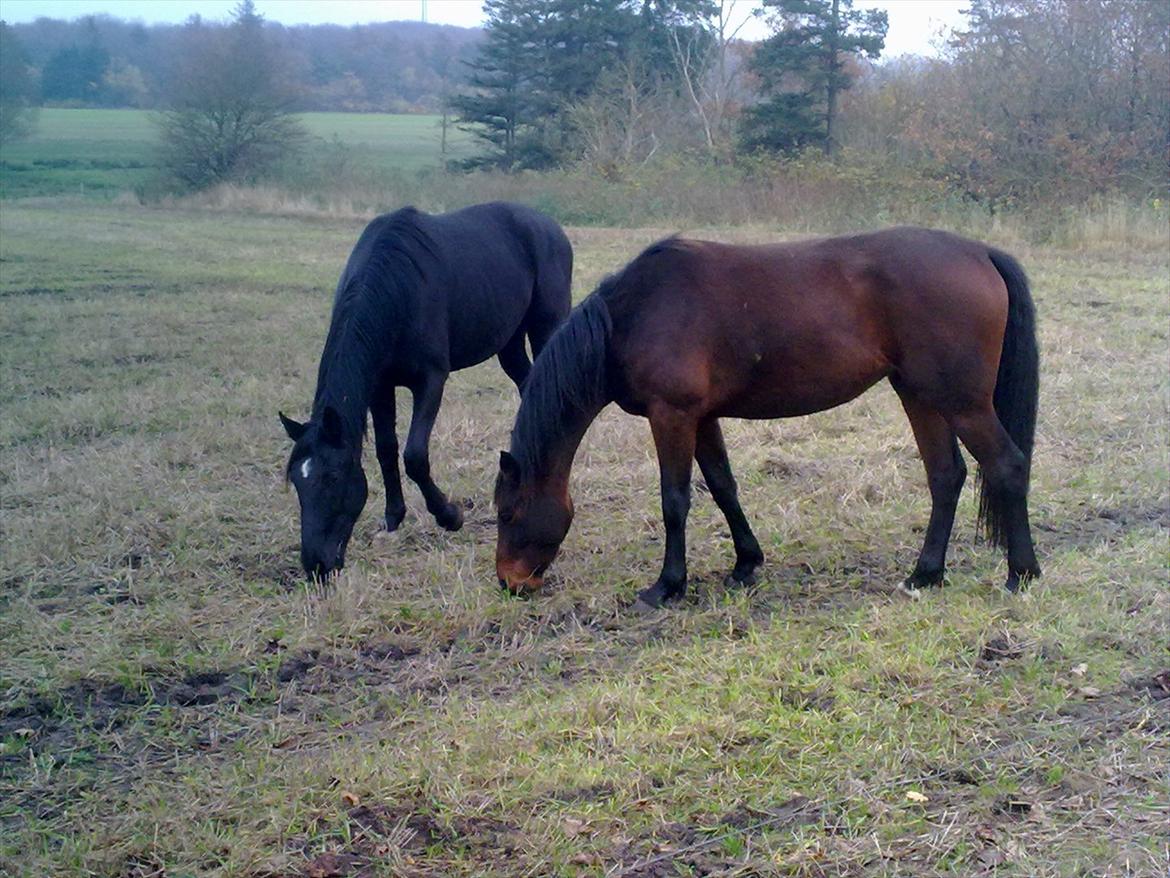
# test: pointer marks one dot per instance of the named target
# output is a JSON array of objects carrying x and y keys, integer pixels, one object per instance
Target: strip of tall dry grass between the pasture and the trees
[{"x": 682, "y": 194}]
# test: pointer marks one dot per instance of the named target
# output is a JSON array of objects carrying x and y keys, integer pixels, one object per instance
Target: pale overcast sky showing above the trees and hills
[{"x": 914, "y": 25}]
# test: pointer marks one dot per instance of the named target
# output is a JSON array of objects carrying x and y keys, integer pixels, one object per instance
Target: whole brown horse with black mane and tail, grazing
[{"x": 692, "y": 332}]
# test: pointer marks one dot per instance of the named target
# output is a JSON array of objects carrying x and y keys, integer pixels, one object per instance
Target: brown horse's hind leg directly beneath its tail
[{"x": 1006, "y": 470}]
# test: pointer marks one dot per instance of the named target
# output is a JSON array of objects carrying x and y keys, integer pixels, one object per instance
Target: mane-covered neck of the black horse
[{"x": 393, "y": 256}]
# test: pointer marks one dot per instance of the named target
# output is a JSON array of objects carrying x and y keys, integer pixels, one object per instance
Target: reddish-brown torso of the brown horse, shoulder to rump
[{"x": 779, "y": 331}]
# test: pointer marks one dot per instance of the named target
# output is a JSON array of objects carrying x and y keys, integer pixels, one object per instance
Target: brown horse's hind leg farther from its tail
[{"x": 946, "y": 475}]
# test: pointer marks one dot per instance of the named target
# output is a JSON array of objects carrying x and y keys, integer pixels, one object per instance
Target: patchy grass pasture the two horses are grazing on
[{"x": 175, "y": 701}]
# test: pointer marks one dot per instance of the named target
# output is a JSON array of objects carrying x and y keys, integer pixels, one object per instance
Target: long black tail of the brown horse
[{"x": 1017, "y": 386}]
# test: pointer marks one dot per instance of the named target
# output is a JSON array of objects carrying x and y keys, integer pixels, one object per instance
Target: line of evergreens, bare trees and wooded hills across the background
[{"x": 1055, "y": 98}]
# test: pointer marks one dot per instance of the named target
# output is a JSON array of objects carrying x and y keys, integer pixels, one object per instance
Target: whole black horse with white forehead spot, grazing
[{"x": 422, "y": 296}]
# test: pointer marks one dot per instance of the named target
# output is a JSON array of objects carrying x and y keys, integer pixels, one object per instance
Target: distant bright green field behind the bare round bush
[{"x": 104, "y": 153}]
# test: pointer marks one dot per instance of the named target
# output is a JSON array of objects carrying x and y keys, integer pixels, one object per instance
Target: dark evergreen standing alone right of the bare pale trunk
[{"x": 802, "y": 70}]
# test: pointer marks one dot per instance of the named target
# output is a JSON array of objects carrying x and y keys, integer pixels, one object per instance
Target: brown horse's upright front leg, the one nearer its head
[{"x": 675, "y": 437}]
